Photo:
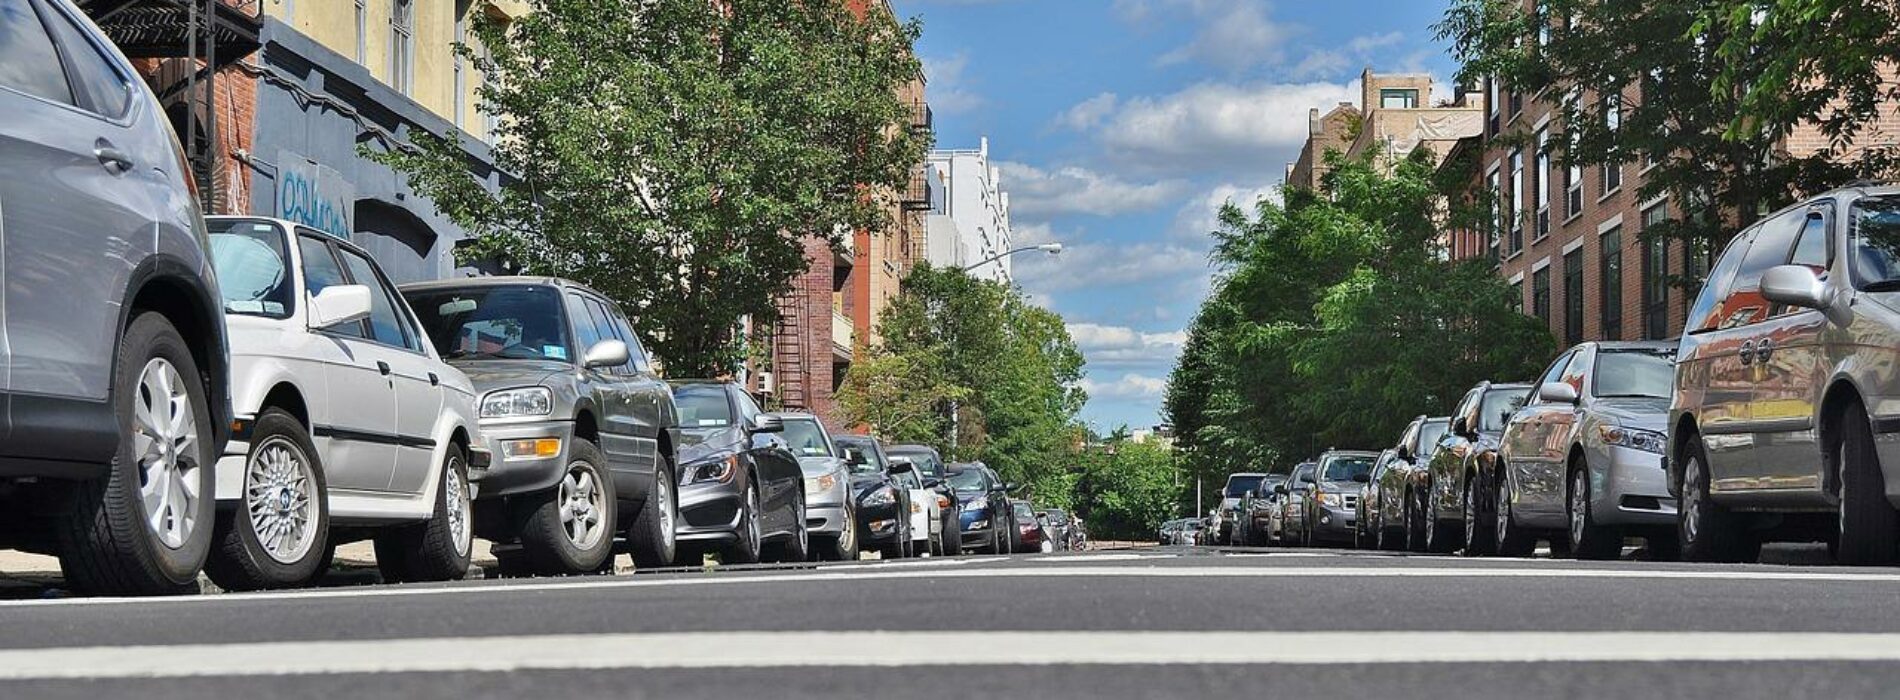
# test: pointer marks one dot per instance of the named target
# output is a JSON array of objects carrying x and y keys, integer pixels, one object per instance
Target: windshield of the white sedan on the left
[{"x": 250, "y": 260}]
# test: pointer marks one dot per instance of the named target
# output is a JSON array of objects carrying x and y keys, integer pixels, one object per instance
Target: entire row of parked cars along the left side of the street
[{"x": 238, "y": 397}]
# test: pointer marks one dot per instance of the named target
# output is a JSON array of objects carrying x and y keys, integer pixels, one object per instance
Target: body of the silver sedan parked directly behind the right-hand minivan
[{"x": 1618, "y": 438}]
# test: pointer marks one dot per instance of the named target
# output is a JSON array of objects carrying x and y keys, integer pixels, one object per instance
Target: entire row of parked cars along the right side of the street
[{"x": 1772, "y": 418}]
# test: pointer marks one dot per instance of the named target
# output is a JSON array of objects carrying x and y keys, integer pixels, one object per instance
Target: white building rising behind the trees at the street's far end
[{"x": 970, "y": 214}]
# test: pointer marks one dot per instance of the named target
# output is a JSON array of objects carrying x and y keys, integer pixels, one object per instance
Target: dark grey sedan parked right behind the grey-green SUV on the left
[{"x": 742, "y": 490}]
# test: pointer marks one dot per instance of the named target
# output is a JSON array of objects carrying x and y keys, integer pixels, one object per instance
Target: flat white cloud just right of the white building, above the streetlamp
[{"x": 1040, "y": 193}]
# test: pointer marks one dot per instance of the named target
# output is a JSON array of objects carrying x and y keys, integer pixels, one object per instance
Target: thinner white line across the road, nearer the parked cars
[{"x": 903, "y": 574}]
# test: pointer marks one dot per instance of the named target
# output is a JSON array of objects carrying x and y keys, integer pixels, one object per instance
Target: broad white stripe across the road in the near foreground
[{"x": 833, "y": 650}]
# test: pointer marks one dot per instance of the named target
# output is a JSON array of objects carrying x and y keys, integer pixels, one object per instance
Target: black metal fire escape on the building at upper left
[{"x": 193, "y": 41}]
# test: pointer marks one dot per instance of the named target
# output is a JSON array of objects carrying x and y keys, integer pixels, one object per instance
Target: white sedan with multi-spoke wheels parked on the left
[{"x": 347, "y": 423}]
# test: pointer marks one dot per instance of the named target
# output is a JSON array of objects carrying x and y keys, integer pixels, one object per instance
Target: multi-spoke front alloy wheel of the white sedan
[{"x": 280, "y": 501}]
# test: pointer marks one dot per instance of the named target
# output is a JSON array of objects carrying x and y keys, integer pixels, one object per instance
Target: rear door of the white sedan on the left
[{"x": 406, "y": 364}]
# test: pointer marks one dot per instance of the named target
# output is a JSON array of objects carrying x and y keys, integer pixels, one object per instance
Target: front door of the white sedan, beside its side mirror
[{"x": 360, "y": 421}]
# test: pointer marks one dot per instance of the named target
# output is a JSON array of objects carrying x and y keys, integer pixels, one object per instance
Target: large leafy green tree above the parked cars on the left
[{"x": 675, "y": 153}]
